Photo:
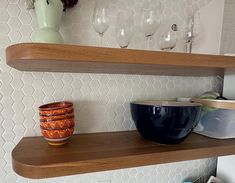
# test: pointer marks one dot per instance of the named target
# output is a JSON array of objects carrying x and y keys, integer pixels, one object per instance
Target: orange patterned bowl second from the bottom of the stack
[{"x": 58, "y": 124}]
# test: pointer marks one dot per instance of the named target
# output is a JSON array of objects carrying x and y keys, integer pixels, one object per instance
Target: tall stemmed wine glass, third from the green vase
[{"x": 151, "y": 19}]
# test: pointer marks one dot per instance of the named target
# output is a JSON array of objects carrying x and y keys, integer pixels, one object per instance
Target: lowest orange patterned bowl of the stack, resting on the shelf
[{"x": 57, "y": 137}]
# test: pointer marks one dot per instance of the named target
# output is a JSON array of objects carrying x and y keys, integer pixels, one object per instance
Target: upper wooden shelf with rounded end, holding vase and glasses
[{"x": 84, "y": 59}]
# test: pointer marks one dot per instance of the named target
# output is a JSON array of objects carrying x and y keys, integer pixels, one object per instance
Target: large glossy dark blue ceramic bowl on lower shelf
[{"x": 165, "y": 122}]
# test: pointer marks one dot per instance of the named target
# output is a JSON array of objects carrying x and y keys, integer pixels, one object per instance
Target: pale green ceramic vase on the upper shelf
[{"x": 49, "y": 19}]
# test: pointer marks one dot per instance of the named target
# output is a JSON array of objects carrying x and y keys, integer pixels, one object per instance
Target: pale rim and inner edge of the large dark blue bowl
[{"x": 166, "y": 103}]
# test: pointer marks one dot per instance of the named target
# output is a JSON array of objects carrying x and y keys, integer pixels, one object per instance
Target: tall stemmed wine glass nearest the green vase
[{"x": 100, "y": 18}]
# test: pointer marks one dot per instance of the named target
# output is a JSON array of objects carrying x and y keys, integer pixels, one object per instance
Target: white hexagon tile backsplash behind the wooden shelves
[{"x": 101, "y": 100}]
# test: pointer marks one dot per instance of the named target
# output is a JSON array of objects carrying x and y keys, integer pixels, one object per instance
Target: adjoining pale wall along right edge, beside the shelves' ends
[{"x": 225, "y": 169}]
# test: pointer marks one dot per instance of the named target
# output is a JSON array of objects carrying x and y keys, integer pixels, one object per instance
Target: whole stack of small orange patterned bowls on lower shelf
[{"x": 57, "y": 122}]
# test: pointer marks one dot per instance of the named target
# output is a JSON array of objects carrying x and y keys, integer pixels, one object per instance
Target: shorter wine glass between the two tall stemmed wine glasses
[{"x": 124, "y": 27}]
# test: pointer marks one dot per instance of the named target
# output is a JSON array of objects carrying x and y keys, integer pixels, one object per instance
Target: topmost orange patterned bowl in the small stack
[{"x": 58, "y": 108}]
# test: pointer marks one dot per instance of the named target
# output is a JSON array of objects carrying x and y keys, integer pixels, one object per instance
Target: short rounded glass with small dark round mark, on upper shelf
[{"x": 168, "y": 39}]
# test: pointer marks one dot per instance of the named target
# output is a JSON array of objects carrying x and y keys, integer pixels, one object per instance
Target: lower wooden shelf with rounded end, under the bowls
[{"x": 34, "y": 158}]
